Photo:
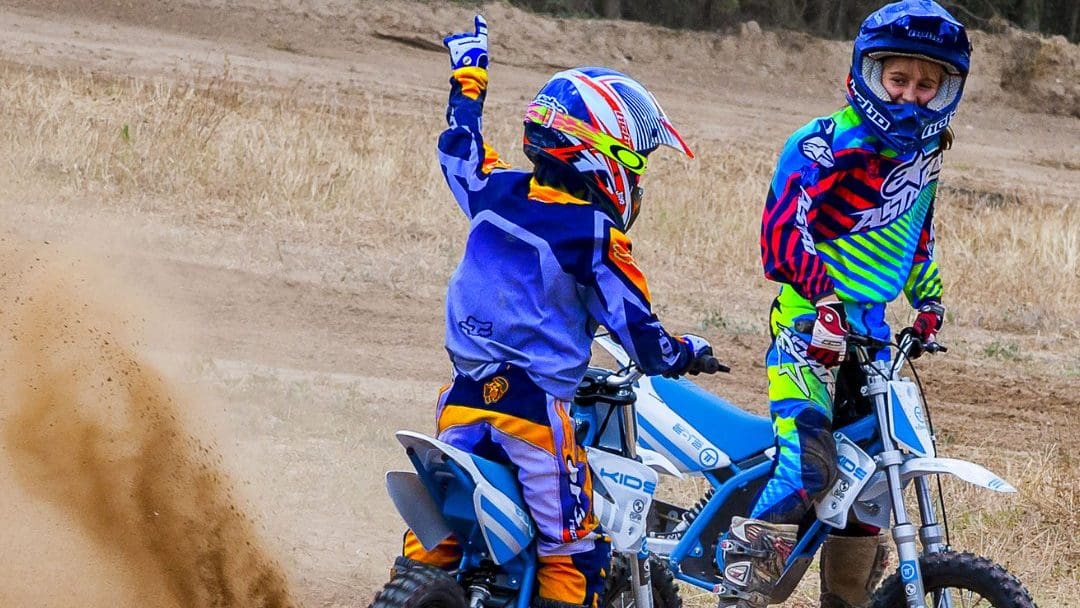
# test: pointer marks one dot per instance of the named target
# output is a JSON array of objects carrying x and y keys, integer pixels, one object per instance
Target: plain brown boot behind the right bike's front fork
[{"x": 852, "y": 569}]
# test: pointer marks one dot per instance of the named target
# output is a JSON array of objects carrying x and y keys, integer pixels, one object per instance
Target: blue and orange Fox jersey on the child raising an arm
[{"x": 542, "y": 269}]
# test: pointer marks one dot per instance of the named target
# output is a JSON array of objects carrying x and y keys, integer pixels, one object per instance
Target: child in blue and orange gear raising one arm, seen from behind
[{"x": 546, "y": 262}]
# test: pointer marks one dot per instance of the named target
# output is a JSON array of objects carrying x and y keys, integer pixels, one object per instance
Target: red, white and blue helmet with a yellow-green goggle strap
[{"x": 603, "y": 125}]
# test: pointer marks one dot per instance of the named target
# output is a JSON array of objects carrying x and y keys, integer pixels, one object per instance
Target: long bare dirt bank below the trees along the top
[{"x": 1024, "y": 71}]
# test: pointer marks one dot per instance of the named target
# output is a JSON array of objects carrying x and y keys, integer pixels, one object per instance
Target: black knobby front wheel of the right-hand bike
[{"x": 968, "y": 580}]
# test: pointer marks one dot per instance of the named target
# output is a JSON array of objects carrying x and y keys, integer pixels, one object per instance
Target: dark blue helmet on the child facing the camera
[{"x": 912, "y": 29}]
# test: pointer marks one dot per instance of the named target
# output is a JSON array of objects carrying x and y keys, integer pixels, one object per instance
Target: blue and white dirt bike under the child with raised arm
[{"x": 479, "y": 502}]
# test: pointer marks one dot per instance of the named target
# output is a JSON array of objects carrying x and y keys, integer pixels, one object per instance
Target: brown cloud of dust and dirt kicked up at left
[{"x": 109, "y": 497}]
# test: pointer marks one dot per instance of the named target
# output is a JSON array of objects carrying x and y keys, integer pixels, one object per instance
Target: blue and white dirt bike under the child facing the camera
[{"x": 886, "y": 445}]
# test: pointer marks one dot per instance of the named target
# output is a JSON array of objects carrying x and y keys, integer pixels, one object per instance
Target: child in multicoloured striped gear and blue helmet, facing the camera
[{"x": 848, "y": 225}]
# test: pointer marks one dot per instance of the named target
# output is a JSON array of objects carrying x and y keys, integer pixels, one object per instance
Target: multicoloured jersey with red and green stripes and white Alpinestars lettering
[{"x": 847, "y": 214}]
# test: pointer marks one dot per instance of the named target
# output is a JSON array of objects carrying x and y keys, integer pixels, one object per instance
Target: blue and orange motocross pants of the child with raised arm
[{"x": 507, "y": 418}]
